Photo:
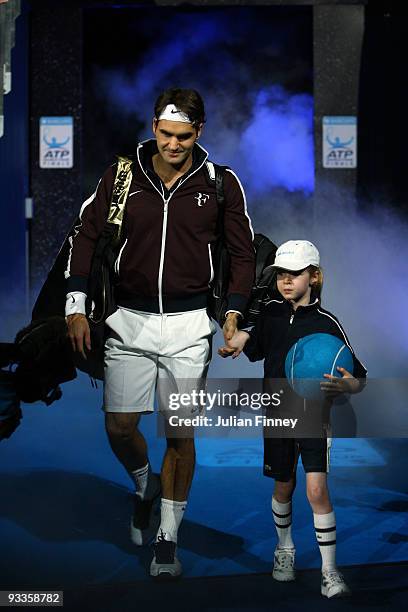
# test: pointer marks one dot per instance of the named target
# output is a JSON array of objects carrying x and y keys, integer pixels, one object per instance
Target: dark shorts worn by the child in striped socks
[{"x": 281, "y": 456}]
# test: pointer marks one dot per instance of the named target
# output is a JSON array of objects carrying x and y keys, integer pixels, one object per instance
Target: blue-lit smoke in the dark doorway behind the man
[{"x": 255, "y": 124}]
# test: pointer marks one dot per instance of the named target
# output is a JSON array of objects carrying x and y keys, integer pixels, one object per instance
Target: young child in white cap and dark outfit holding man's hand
[{"x": 280, "y": 324}]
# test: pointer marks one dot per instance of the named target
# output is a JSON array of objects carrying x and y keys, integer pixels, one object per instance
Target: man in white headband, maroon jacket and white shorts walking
[{"x": 161, "y": 329}]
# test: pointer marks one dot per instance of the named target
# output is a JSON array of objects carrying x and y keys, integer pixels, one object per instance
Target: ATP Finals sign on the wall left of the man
[{"x": 56, "y": 142}]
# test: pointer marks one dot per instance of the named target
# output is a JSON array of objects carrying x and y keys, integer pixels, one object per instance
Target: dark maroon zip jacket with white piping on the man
[{"x": 165, "y": 260}]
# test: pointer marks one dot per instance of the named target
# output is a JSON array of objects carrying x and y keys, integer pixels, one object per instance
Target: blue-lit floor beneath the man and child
[{"x": 66, "y": 502}]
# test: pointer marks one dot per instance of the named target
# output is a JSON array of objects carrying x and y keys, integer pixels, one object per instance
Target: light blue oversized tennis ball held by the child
[{"x": 311, "y": 357}]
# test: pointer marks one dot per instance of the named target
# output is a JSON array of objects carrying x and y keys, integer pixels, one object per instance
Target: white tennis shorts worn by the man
[{"x": 145, "y": 352}]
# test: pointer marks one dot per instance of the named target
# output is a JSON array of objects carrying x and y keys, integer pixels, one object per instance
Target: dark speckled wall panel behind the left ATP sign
[{"x": 56, "y": 56}]
